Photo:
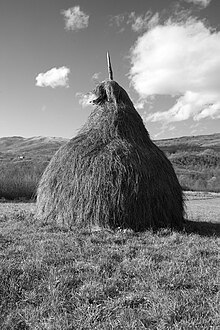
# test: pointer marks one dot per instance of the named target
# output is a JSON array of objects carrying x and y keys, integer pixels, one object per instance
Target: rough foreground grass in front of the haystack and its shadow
[{"x": 54, "y": 279}]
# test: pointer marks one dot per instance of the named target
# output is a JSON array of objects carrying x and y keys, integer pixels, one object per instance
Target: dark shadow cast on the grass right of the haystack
[{"x": 202, "y": 228}]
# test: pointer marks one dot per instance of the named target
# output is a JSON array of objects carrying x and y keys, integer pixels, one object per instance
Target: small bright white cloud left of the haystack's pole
[{"x": 53, "y": 78}]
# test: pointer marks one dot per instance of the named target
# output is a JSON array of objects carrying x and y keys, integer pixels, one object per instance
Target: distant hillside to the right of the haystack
[{"x": 196, "y": 161}]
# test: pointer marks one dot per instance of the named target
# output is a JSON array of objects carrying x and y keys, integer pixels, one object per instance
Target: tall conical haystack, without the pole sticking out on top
[{"x": 111, "y": 174}]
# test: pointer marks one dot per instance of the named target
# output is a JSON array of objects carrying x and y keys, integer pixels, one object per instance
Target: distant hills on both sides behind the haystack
[{"x": 196, "y": 160}]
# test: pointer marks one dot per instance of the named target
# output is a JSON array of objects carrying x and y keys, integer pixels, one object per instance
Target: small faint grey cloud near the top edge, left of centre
[{"x": 75, "y": 19}]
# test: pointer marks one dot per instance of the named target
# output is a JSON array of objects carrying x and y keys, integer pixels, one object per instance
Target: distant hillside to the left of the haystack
[{"x": 19, "y": 176}]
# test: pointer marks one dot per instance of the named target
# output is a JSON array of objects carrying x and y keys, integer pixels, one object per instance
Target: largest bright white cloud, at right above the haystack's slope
[{"x": 182, "y": 60}]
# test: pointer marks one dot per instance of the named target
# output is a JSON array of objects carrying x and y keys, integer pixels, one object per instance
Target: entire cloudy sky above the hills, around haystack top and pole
[{"x": 165, "y": 53}]
